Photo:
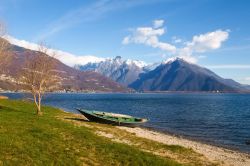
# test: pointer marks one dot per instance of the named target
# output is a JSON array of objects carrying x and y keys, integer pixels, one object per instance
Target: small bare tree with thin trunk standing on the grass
[{"x": 39, "y": 75}]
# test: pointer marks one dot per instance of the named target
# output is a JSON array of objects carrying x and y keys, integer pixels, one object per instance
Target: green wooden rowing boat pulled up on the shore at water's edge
[{"x": 111, "y": 118}]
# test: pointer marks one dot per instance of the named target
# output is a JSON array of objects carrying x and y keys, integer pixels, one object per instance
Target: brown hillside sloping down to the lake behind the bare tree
[{"x": 69, "y": 78}]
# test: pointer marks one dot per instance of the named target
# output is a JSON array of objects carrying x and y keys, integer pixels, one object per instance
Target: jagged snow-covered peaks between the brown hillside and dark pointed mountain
[{"x": 122, "y": 71}]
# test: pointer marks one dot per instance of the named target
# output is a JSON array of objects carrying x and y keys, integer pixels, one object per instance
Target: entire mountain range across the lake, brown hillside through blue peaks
[{"x": 119, "y": 75}]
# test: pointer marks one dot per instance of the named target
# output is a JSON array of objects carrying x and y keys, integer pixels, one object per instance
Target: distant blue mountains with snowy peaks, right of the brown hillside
[{"x": 172, "y": 75}]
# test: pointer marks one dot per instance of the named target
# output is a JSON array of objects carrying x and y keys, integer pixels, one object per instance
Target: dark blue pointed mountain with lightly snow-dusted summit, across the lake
[{"x": 179, "y": 75}]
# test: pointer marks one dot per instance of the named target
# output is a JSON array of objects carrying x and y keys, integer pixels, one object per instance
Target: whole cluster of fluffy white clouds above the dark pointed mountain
[{"x": 199, "y": 44}]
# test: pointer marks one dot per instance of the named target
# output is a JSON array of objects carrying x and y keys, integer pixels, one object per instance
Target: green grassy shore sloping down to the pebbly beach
[{"x": 60, "y": 138}]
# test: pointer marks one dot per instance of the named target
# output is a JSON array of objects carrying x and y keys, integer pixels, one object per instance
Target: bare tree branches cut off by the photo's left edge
[{"x": 4, "y": 47}]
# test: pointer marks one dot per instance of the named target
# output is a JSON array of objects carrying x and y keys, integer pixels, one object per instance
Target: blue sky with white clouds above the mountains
[{"x": 216, "y": 32}]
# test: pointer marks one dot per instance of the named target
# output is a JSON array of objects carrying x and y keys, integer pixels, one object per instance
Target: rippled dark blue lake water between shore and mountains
[{"x": 221, "y": 119}]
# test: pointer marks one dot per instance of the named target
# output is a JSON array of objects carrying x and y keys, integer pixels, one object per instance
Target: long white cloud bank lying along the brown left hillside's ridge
[{"x": 65, "y": 57}]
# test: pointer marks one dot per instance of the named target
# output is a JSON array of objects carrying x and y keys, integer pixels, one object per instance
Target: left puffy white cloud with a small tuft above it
[{"x": 150, "y": 37}]
